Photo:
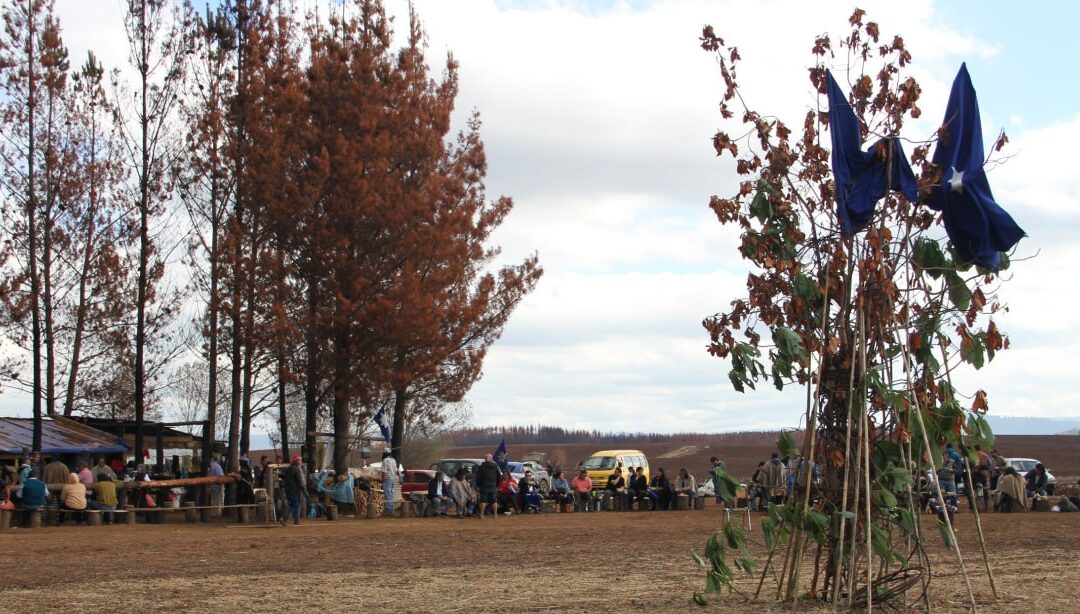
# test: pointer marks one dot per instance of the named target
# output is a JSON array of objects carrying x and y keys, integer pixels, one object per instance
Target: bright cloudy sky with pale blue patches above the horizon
[{"x": 598, "y": 119}]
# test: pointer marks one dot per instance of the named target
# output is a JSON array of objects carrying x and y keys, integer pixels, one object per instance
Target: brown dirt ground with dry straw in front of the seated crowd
[{"x": 566, "y": 563}]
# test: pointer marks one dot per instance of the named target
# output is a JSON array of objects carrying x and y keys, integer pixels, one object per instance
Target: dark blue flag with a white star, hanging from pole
[{"x": 978, "y": 227}]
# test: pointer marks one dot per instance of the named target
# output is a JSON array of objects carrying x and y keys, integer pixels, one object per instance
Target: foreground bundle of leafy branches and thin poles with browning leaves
[{"x": 872, "y": 323}]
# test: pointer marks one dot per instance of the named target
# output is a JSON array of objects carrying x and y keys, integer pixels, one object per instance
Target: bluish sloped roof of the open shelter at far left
[{"x": 59, "y": 436}]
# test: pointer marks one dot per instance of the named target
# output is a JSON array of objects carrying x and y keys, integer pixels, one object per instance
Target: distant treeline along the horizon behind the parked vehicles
[{"x": 544, "y": 434}]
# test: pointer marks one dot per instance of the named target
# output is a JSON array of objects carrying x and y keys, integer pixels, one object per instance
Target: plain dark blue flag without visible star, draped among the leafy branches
[{"x": 862, "y": 179}]
